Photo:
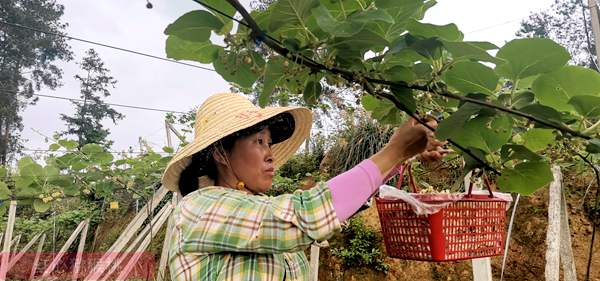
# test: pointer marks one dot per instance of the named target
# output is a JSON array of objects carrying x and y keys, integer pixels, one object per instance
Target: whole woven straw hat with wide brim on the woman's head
[{"x": 226, "y": 113}]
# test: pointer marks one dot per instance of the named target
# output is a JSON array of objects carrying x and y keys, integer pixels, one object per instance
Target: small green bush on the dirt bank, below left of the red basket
[{"x": 361, "y": 247}]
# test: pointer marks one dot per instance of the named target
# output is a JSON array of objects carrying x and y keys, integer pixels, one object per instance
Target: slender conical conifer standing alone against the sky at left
[{"x": 95, "y": 83}]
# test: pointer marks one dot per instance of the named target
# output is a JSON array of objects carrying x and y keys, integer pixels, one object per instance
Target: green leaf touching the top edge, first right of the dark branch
[{"x": 290, "y": 12}]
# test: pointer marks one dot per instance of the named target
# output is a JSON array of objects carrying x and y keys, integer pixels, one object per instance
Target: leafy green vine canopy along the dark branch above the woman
[{"x": 383, "y": 39}]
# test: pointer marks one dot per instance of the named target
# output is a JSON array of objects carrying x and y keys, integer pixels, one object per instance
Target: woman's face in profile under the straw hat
[{"x": 251, "y": 159}]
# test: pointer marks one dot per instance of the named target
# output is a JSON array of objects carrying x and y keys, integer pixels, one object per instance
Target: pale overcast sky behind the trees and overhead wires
[{"x": 152, "y": 83}]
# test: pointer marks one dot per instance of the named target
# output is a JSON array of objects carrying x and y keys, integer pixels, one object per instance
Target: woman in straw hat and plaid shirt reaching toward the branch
[{"x": 226, "y": 230}]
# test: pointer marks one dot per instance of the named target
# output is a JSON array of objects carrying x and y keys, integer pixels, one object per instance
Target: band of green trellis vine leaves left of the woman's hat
[{"x": 91, "y": 174}]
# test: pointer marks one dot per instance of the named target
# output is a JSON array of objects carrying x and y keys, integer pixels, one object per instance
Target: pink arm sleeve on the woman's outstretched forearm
[{"x": 352, "y": 188}]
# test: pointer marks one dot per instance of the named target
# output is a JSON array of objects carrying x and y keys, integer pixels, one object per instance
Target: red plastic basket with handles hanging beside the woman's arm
[{"x": 473, "y": 227}]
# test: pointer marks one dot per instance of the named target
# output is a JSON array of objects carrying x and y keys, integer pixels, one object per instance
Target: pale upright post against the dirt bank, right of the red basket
[{"x": 552, "y": 269}]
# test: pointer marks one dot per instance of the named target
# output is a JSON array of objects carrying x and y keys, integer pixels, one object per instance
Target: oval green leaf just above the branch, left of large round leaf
[{"x": 471, "y": 77}]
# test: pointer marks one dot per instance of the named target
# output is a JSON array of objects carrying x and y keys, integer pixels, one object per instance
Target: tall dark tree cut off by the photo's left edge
[{"x": 27, "y": 62}]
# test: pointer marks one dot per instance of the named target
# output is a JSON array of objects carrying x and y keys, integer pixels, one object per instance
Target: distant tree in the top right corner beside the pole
[{"x": 568, "y": 23}]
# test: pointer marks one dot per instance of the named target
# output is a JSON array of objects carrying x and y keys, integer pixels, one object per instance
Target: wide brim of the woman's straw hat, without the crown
[{"x": 283, "y": 148}]
